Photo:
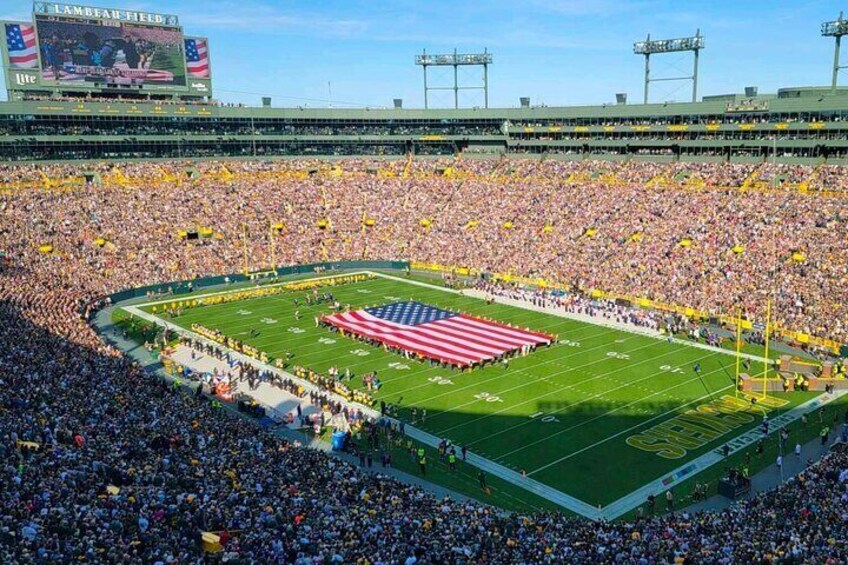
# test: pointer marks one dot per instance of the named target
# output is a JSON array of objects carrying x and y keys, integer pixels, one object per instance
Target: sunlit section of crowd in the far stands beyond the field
[{"x": 585, "y": 224}]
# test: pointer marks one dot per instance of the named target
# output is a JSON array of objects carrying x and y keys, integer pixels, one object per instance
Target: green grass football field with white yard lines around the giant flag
[{"x": 562, "y": 415}]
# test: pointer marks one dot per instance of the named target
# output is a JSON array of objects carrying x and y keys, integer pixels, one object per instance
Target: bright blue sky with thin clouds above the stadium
[{"x": 558, "y": 52}]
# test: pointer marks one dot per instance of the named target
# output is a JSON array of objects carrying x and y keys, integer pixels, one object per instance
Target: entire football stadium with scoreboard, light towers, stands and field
[{"x": 540, "y": 334}]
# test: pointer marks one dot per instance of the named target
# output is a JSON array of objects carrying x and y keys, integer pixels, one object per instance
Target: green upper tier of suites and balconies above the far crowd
[{"x": 797, "y": 125}]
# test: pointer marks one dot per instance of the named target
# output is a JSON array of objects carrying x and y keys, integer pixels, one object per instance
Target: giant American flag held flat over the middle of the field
[{"x": 434, "y": 333}]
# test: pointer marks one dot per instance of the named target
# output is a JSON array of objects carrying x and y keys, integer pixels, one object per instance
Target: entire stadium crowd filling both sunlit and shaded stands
[{"x": 177, "y": 465}]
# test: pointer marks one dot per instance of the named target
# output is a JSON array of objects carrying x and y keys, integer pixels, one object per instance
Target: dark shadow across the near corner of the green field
[{"x": 599, "y": 450}]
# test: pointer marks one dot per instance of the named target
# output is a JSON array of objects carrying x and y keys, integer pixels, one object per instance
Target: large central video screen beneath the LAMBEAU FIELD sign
[{"x": 75, "y": 51}]
